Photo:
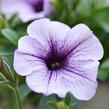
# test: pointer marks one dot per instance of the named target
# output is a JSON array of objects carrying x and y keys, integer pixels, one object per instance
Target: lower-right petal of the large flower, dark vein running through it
[{"x": 81, "y": 78}]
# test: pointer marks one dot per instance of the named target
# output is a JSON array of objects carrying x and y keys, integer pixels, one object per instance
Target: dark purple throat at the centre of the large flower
[{"x": 55, "y": 59}]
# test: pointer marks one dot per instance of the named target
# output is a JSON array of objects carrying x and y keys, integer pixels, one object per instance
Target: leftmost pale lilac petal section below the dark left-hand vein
[{"x": 25, "y": 64}]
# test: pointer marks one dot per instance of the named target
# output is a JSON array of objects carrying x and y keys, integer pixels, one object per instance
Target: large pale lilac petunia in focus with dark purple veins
[{"x": 57, "y": 59}]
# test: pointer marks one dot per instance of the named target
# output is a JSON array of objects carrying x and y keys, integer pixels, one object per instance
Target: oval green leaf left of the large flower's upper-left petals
[{"x": 11, "y": 35}]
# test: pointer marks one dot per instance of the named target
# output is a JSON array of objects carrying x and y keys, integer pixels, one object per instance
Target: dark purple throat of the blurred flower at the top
[{"x": 38, "y": 6}]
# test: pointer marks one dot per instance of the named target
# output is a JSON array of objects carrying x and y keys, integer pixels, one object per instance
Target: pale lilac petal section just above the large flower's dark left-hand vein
[{"x": 31, "y": 46}]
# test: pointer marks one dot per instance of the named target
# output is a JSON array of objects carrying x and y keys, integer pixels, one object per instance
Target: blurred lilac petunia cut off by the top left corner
[{"x": 26, "y": 9}]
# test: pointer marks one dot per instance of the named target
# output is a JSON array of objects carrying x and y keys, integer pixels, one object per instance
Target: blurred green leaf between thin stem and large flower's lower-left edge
[{"x": 24, "y": 91}]
